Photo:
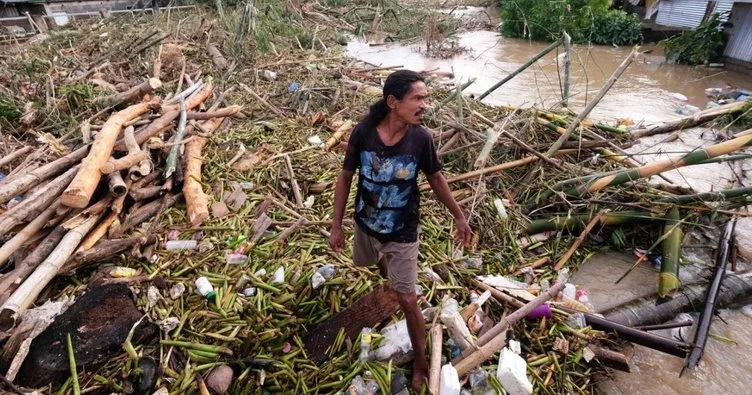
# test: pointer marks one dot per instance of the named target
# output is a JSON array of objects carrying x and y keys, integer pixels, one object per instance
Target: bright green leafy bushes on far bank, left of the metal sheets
[{"x": 583, "y": 20}]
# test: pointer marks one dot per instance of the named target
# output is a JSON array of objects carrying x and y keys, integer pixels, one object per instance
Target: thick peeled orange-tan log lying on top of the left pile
[{"x": 80, "y": 190}]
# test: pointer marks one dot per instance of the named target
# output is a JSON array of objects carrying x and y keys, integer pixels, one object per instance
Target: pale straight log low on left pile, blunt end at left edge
[{"x": 27, "y": 293}]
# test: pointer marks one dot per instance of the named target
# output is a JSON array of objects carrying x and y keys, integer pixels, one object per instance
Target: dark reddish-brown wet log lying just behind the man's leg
[{"x": 369, "y": 310}]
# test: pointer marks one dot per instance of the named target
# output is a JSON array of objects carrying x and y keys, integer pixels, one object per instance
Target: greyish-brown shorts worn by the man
[{"x": 401, "y": 259}]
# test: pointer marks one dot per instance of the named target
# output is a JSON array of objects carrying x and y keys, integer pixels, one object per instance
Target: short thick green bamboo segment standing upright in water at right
[{"x": 668, "y": 282}]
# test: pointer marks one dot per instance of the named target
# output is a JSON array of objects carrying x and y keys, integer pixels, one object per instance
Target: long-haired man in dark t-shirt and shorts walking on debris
[{"x": 389, "y": 148}]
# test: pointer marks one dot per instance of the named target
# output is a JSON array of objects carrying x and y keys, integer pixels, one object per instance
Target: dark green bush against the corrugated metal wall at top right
[{"x": 700, "y": 46}]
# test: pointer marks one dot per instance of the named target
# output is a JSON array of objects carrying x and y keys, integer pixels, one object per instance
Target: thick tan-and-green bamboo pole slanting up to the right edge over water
[{"x": 675, "y": 162}]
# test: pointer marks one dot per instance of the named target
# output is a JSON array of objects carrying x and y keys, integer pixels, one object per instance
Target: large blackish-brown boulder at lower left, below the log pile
[{"x": 98, "y": 323}]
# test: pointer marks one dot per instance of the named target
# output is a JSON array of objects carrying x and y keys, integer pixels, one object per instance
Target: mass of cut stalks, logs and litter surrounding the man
[{"x": 137, "y": 123}]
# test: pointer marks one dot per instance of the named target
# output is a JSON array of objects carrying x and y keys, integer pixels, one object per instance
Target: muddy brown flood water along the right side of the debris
[{"x": 649, "y": 91}]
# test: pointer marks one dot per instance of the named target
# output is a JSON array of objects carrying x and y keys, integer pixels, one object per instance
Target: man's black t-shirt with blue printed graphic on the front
[{"x": 387, "y": 200}]
